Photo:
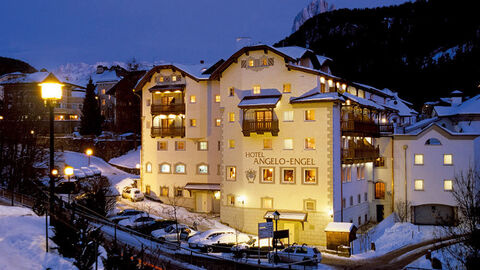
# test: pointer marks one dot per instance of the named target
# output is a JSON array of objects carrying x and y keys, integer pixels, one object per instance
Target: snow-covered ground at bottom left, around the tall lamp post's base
[{"x": 22, "y": 242}]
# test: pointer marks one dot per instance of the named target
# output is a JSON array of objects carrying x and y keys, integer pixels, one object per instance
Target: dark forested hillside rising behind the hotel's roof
[{"x": 423, "y": 49}]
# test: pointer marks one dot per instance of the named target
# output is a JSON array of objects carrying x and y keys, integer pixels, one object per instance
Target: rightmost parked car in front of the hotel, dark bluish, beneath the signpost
[{"x": 296, "y": 253}]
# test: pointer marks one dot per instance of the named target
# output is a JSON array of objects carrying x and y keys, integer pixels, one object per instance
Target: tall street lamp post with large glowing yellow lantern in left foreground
[{"x": 51, "y": 91}]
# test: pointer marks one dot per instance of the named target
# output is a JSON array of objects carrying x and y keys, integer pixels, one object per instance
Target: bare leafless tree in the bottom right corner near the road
[{"x": 467, "y": 197}]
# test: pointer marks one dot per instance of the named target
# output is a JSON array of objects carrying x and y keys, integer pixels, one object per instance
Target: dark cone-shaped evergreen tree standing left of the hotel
[{"x": 91, "y": 120}]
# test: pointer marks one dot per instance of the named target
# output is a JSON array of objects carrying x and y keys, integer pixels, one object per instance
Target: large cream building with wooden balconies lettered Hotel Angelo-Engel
[{"x": 269, "y": 129}]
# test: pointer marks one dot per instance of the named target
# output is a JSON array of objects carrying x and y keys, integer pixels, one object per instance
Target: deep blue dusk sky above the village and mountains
[{"x": 55, "y": 32}]
